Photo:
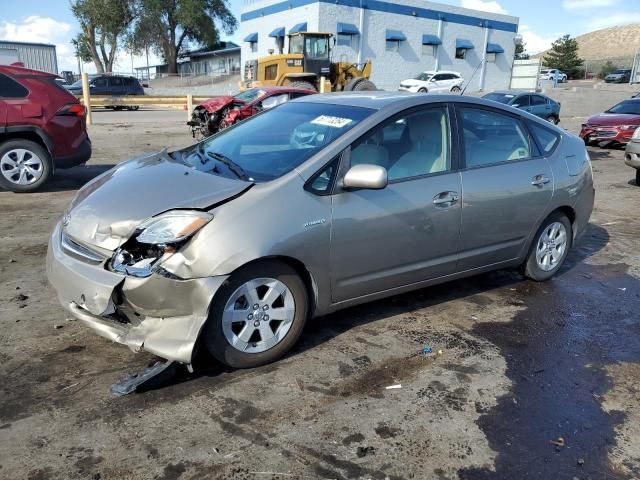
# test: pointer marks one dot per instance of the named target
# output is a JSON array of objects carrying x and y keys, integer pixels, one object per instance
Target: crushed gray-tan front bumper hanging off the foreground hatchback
[{"x": 161, "y": 315}]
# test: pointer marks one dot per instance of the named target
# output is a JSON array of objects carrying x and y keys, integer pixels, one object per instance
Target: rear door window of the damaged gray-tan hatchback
[{"x": 491, "y": 137}]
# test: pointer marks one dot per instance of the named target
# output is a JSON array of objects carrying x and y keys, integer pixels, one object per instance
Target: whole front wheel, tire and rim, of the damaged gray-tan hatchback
[{"x": 257, "y": 315}]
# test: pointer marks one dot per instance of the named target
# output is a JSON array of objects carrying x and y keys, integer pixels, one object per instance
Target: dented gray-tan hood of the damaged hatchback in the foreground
[{"x": 108, "y": 210}]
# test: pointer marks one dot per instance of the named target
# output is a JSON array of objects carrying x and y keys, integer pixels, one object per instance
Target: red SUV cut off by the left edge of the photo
[{"x": 42, "y": 127}]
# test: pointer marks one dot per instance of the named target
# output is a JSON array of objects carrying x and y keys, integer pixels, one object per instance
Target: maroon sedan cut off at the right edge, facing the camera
[{"x": 615, "y": 126}]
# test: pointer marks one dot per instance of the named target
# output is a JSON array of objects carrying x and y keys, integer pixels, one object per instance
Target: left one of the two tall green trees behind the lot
[{"x": 103, "y": 23}]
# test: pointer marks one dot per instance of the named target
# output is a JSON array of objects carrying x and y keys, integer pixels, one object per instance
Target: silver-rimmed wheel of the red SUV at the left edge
[{"x": 24, "y": 166}]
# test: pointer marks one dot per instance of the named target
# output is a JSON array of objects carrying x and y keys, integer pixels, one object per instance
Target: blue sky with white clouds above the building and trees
[{"x": 541, "y": 22}]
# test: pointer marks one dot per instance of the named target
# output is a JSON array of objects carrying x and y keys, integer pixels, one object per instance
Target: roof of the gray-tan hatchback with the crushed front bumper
[{"x": 377, "y": 100}]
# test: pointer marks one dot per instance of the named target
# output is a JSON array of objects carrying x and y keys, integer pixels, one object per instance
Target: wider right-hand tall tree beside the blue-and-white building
[{"x": 172, "y": 25}]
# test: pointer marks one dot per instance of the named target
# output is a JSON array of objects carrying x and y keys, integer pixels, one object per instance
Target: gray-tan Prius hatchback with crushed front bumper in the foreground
[{"x": 318, "y": 204}]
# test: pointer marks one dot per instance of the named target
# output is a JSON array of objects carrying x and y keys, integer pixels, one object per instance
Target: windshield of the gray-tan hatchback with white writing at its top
[{"x": 275, "y": 142}]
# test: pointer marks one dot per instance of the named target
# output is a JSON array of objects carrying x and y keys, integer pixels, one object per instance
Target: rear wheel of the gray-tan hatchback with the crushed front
[{"x": 549, "y": 248}]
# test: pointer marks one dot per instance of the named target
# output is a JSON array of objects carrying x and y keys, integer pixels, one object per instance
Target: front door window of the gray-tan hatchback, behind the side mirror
[{"x": 408, "y": 146}]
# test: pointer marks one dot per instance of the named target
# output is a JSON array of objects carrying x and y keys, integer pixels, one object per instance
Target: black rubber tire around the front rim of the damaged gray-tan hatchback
[{"x": 213, "y": 334}]
